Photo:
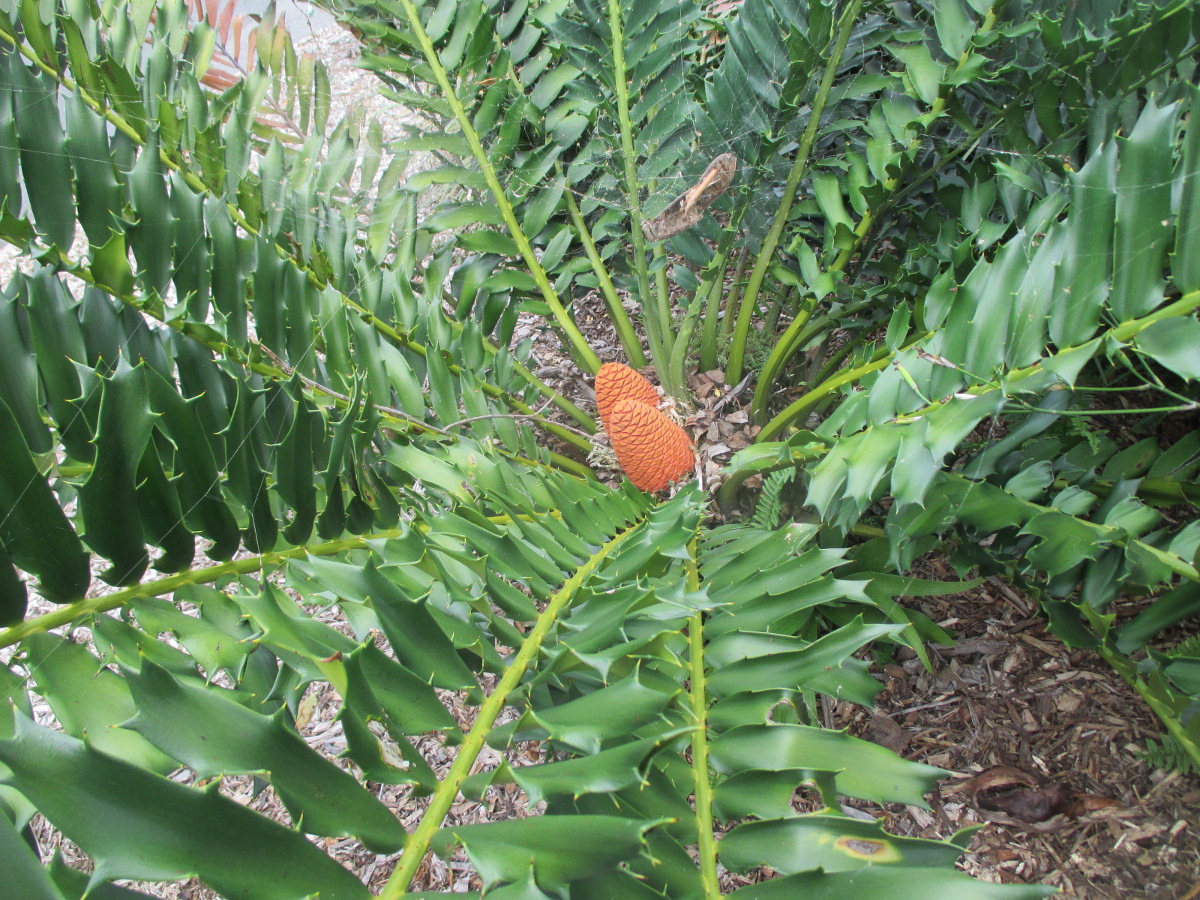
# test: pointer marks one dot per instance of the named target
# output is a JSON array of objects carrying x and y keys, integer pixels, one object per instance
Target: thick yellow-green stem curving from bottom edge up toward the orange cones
[{"x": 440, "y": 805}]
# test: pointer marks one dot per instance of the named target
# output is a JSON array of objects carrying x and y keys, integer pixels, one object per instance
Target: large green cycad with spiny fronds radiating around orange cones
[{"x": 263, "y": 430}]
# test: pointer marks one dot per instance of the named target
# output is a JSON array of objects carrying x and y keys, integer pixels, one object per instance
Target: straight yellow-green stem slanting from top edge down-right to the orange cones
[{"x": 579, "y": 345}]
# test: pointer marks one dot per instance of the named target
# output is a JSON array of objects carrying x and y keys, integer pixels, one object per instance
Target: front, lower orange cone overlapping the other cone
[{"x": 651, "y": 448}]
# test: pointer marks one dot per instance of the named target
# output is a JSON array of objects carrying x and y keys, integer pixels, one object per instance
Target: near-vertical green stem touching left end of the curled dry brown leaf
[{"x": 656, "y": 309}]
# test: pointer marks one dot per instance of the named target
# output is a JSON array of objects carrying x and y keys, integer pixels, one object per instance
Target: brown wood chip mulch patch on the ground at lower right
[{"x": 1011, "y": 694}]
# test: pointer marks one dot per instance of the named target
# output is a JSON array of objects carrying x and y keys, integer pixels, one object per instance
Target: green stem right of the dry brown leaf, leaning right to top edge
[{"x": 746, "y": 313}]
